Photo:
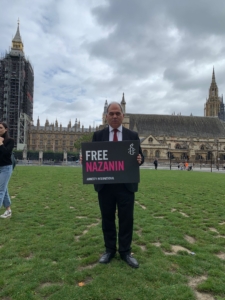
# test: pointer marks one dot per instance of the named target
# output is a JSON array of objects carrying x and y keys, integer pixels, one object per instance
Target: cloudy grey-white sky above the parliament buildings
[{"x": 159, "y": 53}]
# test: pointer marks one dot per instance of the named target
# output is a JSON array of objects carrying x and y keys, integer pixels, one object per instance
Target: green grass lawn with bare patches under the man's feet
[{"x": 54, "y": 240}]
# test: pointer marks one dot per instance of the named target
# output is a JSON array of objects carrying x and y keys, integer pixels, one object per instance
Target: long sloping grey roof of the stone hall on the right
[{"x": 177, "y": 125}]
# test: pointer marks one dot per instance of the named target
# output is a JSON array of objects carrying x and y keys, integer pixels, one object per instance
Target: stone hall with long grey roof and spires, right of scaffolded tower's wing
[{"x": 180, "y": 137}]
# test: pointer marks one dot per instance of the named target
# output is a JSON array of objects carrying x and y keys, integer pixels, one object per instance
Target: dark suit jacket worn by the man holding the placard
[{"x": 103, "y": 135}]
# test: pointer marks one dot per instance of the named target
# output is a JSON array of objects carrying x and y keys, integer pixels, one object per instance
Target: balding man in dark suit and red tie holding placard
[{"x": 121, "y": 196}]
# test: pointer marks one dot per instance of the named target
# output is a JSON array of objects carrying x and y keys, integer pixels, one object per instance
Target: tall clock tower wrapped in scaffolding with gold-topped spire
[{"x": 16, "y": 91}]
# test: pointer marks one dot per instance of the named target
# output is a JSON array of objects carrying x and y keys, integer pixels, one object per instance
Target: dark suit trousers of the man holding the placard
[{"x": 113, "y": 196}]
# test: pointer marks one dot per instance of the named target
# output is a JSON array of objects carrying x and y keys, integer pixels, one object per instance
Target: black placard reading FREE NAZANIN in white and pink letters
[{"x": 110, "y": 162}]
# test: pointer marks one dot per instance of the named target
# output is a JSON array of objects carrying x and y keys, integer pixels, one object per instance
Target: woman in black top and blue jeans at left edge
[{"x": 6, "y": 147}]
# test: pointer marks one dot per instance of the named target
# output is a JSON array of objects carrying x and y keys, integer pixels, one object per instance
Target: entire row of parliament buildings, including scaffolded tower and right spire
[{"x": 162, "y": 136}]
